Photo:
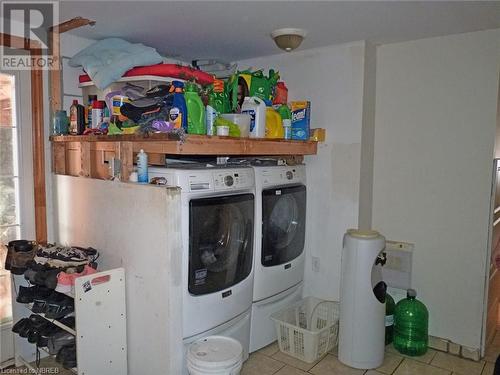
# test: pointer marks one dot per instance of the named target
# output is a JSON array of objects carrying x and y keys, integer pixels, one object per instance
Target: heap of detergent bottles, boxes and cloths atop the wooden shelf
[{"x": 182, "y": 101}]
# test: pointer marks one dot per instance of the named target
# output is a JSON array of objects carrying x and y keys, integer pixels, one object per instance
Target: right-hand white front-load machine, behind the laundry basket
[{"x": 280, "y": 222}]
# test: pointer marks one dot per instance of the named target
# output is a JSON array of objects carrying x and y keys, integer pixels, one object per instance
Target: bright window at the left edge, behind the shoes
[{"x": 9, "y": 185}]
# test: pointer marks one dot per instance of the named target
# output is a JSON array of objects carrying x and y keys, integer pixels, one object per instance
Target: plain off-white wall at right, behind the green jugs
[{"x": 434, "y": 136}]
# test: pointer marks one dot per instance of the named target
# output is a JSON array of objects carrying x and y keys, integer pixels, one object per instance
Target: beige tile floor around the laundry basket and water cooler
[{"x": 270, "y": 361}]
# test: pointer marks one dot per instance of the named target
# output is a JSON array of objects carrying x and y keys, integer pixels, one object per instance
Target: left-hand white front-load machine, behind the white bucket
[{"x": 217, "y": 224}]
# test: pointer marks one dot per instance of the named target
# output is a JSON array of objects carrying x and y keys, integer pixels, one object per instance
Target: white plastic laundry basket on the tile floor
[{"x": 308, "y": 329}]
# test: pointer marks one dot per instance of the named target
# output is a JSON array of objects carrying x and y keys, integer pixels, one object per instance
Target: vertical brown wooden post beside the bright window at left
[{"x": 38, "y": 151}]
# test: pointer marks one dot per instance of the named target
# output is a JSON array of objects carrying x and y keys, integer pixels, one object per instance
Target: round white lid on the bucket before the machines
[{"x": 215, "y": 351}]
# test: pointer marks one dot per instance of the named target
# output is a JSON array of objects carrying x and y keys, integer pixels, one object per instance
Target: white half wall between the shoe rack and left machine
[{"x": 99, "y": 213}]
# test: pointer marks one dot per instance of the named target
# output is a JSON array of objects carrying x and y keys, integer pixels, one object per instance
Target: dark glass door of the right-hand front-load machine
[{"x": 283, "y": 224}]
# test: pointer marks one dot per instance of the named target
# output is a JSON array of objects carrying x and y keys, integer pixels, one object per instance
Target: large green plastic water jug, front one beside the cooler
[{"x": 411, "y": 323}]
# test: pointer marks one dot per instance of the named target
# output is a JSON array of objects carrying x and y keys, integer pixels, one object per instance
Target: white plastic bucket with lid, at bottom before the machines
[{"x": 215, "y": 355}]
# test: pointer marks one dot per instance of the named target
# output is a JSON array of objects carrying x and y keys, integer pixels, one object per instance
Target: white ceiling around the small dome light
[{"x": 234, "y": 30}]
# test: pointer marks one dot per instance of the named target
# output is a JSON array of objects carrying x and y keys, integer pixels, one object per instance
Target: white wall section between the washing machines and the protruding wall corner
[{"x": 332, "y": 79}]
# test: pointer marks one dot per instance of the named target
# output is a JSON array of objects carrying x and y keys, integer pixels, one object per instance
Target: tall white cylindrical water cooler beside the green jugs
[{"x": 361, "y": 325}]
